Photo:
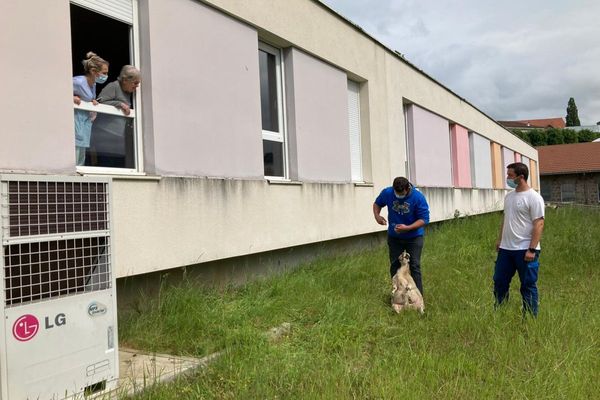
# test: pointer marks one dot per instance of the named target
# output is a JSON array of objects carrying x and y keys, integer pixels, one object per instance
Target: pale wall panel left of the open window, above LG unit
[{"x": 36, "y": 109}]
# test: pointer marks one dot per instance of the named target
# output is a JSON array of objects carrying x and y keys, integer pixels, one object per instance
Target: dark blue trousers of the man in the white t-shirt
[{"x": 509, "y": 261}]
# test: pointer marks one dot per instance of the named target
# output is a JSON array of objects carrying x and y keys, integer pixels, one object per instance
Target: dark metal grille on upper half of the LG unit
[{"x": 55, "y": 238}]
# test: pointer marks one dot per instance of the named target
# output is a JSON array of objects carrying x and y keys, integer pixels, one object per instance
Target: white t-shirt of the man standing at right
[{"x": 520, "y": 210}]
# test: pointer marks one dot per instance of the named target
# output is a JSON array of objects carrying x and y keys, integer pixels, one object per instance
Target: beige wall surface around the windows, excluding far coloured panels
[{"x": 201, "y": 117}]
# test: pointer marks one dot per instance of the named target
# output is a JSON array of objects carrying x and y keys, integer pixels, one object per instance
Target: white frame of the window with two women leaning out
[{"x": 134, "y": 46}]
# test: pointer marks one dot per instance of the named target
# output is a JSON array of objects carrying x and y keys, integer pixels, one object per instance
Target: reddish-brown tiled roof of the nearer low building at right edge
[{"x": 569, "y": 158}]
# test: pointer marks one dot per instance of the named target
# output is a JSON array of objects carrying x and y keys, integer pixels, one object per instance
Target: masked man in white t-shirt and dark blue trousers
[{"x": 518, "y": 245}]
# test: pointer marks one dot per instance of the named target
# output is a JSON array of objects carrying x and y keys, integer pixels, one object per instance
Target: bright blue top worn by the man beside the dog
[{"x": 404, "y": 211}]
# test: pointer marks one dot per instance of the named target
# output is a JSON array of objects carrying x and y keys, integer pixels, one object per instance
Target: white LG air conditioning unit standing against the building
[{"x": 57, "y": 290}]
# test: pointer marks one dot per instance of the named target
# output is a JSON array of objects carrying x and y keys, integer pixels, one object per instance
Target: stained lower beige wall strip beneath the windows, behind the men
[{"x": 173, "y": 222}]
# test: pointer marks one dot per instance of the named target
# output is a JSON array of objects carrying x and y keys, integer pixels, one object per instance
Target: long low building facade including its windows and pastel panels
[{"x": 258, "y": 126}]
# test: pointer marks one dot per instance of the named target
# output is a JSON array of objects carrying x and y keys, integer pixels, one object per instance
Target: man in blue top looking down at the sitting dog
[{"x": 408, "y": 213}]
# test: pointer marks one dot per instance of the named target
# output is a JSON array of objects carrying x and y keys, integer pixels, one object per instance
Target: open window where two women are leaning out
[{"x": 107, "y": 29}]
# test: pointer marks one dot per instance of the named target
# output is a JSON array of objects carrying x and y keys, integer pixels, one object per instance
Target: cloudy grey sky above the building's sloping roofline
[{"x": 513, "y": 59}]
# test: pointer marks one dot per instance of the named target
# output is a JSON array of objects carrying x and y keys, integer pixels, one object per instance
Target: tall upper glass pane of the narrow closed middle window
[{"x": 268, "y": 91}]
